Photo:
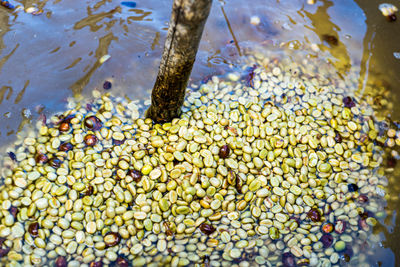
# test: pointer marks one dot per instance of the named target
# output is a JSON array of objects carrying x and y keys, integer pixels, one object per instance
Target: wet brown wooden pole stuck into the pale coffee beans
[{"x": 185, "y": 29}]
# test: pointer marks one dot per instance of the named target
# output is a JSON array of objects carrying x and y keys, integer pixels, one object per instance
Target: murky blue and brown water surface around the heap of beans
[{"x": 48, "y": 58}]
